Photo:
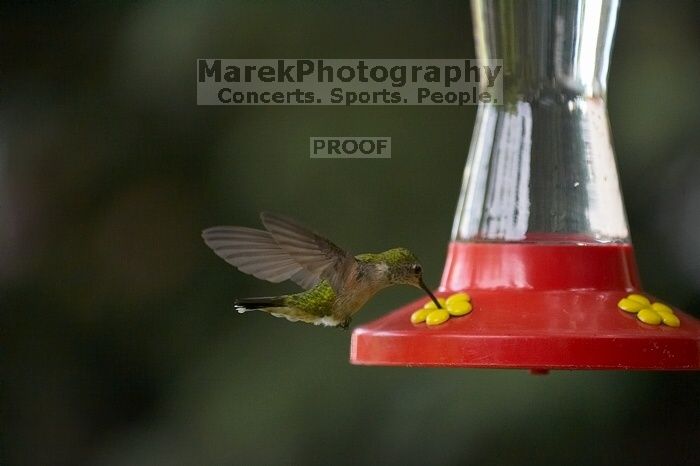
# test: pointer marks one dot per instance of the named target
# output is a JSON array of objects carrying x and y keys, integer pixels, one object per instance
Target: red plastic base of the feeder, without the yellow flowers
[{"x": 537, "y": 307}]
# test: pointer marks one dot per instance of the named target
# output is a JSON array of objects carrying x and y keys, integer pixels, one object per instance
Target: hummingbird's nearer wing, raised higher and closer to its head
[{"x": 316, "y": 254}]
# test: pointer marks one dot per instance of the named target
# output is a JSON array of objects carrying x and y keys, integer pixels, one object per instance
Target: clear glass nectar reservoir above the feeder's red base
[{"x": 541, "y": 167}]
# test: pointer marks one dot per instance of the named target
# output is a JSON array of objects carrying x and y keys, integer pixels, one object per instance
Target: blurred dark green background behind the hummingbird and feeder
[{"x": 119, "y": 341}]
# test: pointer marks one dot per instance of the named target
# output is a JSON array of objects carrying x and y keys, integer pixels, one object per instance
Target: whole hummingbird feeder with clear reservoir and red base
[{"x": 540, "y": 240}]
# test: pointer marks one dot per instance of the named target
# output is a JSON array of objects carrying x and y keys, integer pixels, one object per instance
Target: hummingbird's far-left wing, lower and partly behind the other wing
[{"x": 256, "y": 252}]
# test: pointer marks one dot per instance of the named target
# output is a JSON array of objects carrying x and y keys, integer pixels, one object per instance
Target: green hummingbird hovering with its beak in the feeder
[{"x": 336, "y": 284}]
